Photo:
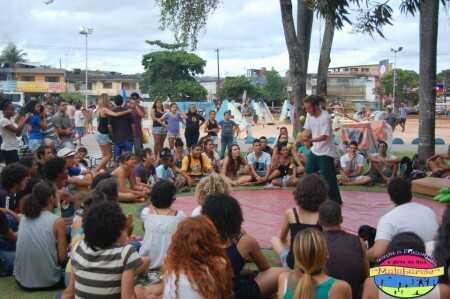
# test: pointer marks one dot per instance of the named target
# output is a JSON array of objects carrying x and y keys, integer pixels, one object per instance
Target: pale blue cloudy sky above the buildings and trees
[{"x": 248, "y": 33}]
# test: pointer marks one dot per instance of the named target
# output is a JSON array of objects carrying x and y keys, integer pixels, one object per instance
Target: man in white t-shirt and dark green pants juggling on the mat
[{"x": 319, "y": 131}]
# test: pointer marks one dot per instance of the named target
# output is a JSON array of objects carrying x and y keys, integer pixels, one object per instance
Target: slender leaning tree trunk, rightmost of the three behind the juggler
[{"x": 324, "y": 61}]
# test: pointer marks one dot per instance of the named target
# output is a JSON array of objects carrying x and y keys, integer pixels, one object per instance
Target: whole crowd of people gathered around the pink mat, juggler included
[{"x": 89, "y": 249}]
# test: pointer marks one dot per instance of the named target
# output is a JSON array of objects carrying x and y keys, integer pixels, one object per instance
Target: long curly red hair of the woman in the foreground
[{"x": 195, "y": 250}]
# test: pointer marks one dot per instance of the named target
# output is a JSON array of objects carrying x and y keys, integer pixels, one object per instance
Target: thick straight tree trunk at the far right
[{"x": 429, "y": 12}]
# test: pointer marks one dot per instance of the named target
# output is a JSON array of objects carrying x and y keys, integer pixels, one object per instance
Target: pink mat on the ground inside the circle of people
[{"x": 264, "y": 209}]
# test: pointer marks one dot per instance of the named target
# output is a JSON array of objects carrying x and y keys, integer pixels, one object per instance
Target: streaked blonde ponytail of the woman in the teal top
[{"x": 311, "y": 253}]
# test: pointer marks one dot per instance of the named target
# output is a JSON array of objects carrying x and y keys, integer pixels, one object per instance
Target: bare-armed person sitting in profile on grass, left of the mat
[{"x": 124, "y": 173}]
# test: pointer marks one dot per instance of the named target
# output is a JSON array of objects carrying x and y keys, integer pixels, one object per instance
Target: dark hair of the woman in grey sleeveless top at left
[{"x": 32, "y": 205}]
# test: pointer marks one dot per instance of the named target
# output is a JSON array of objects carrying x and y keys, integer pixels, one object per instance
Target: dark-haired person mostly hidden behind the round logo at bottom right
[{"x": 400, "y": 242}]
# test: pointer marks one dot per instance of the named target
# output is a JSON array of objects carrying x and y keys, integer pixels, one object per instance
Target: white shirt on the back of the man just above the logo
[{"x": 408, "y": 217}]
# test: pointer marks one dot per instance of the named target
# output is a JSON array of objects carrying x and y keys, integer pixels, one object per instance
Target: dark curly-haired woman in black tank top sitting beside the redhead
[{"x": 226, "y": 214}]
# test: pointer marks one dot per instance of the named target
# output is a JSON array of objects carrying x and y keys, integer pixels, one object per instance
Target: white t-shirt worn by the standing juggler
[{"x": 320, "y": 126}]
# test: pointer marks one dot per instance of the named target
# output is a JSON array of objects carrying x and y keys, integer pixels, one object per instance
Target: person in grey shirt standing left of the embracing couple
[{"x": 61, "y": 122}]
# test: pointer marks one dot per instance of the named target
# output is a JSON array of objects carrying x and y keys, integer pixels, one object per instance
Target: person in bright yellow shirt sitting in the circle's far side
[{"x": 195, "y": 166}]
